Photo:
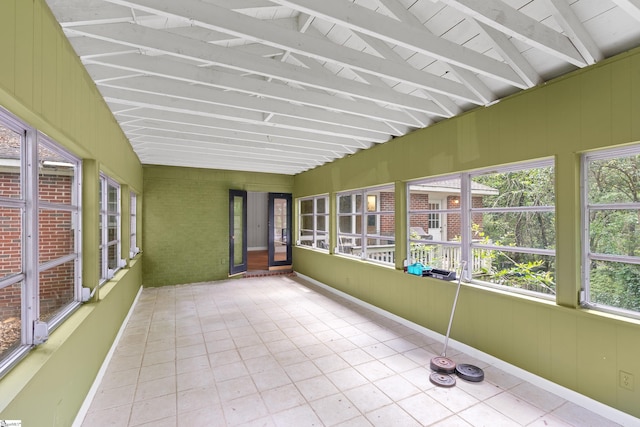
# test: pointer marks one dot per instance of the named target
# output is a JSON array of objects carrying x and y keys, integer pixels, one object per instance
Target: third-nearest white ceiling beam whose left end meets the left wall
[{"x": 209, "y": 95}]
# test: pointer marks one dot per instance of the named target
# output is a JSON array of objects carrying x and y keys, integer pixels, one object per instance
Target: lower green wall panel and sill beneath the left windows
[{"x": 56, "y": 377}]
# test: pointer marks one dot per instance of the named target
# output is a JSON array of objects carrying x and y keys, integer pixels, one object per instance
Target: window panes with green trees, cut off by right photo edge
[{"x": 611, "y": 240}]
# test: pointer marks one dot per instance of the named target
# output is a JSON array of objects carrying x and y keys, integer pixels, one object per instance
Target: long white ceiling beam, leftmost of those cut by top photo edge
[{"x": 237, "y": 24}]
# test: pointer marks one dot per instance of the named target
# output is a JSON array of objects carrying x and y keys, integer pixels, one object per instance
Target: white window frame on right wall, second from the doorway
[{"x": 365, "y": 251}]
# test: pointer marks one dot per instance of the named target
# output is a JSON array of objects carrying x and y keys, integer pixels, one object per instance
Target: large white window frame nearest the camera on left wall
[{"x": 34, "y": 331}]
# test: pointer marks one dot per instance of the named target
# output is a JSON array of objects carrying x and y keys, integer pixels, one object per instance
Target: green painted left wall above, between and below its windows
[{"x": 44, "y": 84}]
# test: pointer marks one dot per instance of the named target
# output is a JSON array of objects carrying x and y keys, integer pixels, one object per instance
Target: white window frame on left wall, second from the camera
[{"x": 106, "y": 272}]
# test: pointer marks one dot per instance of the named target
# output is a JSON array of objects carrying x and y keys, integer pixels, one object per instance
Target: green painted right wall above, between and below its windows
[{"x": 576, "y": 348}]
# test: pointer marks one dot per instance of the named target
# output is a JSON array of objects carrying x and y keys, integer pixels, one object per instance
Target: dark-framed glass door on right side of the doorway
[{"x": 279, "y": 229}]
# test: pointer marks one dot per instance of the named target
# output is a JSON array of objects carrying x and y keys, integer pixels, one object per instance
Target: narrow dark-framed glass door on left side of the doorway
[{"x": 237, "y": 231}]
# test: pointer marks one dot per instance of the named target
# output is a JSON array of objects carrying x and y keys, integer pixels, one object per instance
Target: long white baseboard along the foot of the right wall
[{"x": 600, "y": 408}]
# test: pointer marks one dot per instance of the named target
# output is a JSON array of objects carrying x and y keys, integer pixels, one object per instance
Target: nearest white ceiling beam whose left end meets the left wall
[{"x": 183, "y": 47}]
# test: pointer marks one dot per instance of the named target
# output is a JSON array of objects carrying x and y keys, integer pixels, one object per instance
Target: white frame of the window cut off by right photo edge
[{"x": 587, "y": 209}]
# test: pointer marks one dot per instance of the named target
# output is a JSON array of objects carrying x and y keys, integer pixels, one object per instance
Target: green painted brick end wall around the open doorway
[{"x": 186, "y": 220}]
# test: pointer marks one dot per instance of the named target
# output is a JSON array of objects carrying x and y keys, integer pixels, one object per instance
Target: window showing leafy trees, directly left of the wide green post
[{"x": 512, "y": 230}]
